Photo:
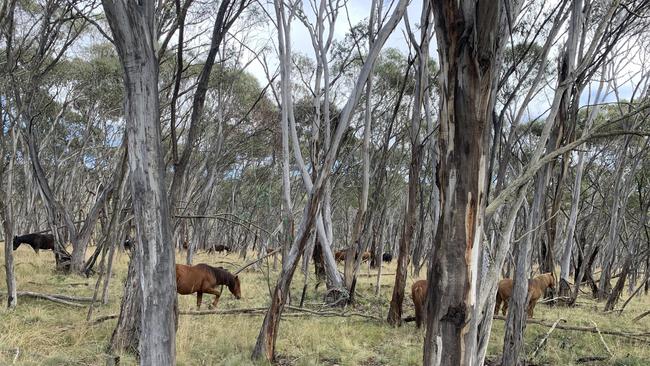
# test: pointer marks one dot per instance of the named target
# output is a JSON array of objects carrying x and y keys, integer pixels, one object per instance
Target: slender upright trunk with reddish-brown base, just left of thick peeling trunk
[{"x": 410, "y": 220}]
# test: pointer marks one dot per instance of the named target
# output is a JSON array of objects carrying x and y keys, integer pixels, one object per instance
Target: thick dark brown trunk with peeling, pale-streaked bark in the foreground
[{"x": 468, "y": 43}]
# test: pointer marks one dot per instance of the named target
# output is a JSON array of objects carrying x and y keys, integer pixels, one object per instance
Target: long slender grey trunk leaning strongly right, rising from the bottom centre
[{"x": 265, "y": 344}]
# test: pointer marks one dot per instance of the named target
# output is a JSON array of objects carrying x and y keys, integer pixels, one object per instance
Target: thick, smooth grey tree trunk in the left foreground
[{"x": 132, "y": 25}]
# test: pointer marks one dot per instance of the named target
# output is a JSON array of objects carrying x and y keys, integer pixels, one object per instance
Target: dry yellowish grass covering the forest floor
[{"x": 40, "y": 332}]
